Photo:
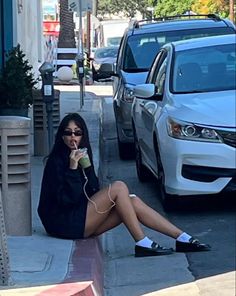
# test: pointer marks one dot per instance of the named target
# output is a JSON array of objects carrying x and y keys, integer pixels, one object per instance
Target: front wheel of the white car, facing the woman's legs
[{"x": 167, "y": 200}]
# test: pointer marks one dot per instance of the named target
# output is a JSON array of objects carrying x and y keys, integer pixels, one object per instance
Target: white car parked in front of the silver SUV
[{"x": 184, "y": 118}]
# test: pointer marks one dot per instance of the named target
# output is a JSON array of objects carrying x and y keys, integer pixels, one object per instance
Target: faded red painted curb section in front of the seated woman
[{"x": 85, "y": 271}]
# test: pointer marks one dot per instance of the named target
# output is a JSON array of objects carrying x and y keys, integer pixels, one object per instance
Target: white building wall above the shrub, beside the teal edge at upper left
[{"x": 28, "y": 30}]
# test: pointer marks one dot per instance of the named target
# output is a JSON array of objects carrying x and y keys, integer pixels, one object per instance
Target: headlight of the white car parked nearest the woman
[{"x": 190, "y": 131}]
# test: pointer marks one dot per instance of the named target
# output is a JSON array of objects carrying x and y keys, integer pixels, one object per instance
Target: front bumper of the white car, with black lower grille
[{"x": 196, "y": 168}]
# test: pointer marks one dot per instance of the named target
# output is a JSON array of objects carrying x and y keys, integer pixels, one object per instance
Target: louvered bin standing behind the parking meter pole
[{"x": 40, "y": 122}]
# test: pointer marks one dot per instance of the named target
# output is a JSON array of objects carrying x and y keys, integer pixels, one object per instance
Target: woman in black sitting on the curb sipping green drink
[{"x": 72, "y": 206}]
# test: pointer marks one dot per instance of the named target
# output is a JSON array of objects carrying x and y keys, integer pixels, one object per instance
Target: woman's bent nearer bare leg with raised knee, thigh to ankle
[{"x": 124, "y": 208}]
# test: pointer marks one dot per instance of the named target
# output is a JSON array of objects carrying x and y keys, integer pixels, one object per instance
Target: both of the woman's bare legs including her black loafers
[{"x": 131, "y": 211}]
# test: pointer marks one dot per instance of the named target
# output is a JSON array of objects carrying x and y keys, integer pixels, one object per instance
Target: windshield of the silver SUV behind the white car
[{"x": 141, "y": 49}]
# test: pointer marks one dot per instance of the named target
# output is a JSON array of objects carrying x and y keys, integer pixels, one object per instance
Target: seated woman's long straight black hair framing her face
[{"x": 60, "y": 147}]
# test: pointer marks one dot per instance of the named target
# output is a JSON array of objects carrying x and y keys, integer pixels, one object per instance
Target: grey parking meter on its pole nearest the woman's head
[{"x": 46, "y": 70}]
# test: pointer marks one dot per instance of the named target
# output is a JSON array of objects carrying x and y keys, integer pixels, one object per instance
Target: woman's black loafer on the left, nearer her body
[{"x": 155, "y": 250}]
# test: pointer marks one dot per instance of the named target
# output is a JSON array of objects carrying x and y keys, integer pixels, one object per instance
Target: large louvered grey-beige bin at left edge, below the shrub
[{"x": 15, "y": 174}]
